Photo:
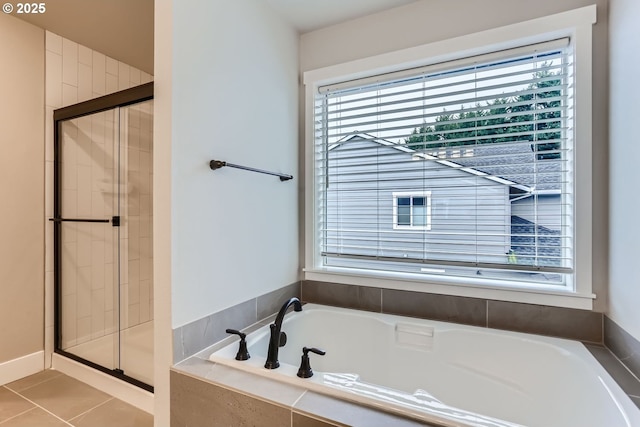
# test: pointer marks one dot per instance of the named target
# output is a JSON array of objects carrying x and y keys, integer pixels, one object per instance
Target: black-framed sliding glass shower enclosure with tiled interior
[{"x": 103, "y": 150}]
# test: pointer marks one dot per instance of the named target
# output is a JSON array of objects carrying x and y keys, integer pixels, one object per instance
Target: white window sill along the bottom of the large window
[{"x": 528, "y": 295}]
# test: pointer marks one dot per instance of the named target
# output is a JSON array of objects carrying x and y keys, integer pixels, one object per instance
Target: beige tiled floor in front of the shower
[{"x": 52, "y": 399}]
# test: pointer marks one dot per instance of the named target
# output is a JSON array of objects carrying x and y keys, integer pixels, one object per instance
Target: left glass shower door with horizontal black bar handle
[{"x": 90, "y": 238}]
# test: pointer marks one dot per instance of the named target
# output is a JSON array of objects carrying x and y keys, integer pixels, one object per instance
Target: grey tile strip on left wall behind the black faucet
[{"x": 193, "y": 337}]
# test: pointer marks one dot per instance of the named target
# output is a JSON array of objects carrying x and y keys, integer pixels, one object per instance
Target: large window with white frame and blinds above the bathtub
[{"x": 466, "y": 171}]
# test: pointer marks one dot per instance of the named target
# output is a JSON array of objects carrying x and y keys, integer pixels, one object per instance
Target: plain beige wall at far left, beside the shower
[{"x": 22, "y": 191}]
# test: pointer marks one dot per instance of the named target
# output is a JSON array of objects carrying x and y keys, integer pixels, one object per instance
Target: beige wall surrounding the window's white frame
[{"x": 428, "y": 21}]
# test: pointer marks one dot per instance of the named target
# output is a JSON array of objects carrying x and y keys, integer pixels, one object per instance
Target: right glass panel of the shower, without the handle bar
[{"x": 136, "y": 257}]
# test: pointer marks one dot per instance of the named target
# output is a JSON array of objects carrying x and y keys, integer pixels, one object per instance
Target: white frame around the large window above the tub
[{"x": 575, "y": 24}]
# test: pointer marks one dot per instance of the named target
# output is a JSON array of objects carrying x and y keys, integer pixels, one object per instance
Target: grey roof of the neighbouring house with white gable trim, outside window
[{"x": 512, "y": 164}]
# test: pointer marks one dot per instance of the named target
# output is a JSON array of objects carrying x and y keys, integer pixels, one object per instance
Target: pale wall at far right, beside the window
[{"x": 624, "y": 237}]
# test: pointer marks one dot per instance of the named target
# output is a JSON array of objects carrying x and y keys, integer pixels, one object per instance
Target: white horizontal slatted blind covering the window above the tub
[{"x": 489, "y": 139}]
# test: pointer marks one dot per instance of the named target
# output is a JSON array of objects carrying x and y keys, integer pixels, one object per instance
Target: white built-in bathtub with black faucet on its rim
[{"x": 444, "y": 373}]
